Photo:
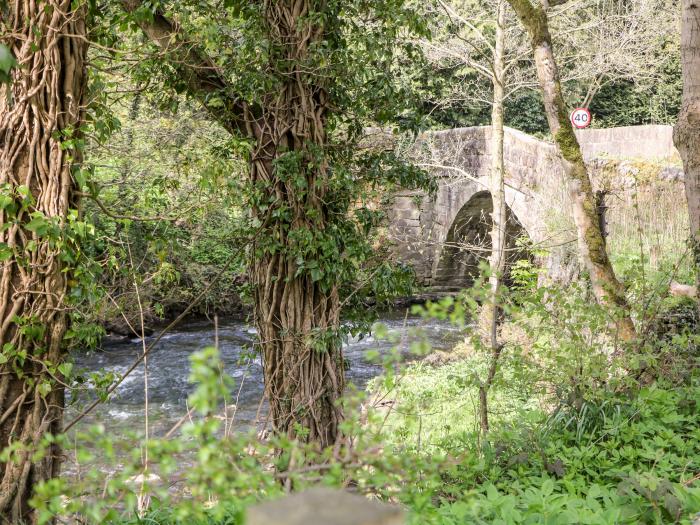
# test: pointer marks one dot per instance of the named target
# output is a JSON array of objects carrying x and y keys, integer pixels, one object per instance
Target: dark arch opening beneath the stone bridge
[{"x": 468, "y": 242}]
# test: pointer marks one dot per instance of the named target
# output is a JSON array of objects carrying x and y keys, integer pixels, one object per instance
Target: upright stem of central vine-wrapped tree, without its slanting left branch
[{"x": 297, "y": 315}]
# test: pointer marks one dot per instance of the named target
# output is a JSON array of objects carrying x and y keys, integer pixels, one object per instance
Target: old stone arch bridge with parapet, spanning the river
[{"x": 444, "y": 236}]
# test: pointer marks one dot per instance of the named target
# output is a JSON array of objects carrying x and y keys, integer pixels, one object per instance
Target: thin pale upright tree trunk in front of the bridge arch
[{"x": 491, "y": 310}]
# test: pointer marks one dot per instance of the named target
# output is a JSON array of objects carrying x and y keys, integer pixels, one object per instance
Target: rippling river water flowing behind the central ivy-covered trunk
[{"x": 169, "y": 368}]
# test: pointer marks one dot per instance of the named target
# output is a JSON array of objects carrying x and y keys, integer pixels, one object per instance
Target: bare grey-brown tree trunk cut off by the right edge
[{"x": 686, "y": 133}]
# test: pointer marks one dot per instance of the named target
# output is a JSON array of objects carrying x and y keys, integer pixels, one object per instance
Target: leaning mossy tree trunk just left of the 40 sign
[{"x": 606, "y": 288}]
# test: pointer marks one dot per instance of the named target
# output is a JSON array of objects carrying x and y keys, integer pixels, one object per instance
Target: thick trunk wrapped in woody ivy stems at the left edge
[{"x": 43, "y": 109}]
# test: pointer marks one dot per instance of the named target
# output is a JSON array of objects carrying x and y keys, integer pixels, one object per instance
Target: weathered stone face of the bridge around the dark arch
[{"x": 461, "y": 160}]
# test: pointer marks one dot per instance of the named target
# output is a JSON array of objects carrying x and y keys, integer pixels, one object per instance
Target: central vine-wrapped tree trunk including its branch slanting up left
[{"x": 297, "y": 312}]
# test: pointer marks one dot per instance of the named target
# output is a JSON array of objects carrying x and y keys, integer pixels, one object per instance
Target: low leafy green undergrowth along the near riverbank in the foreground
[{"x": 579, "y": 433}]
